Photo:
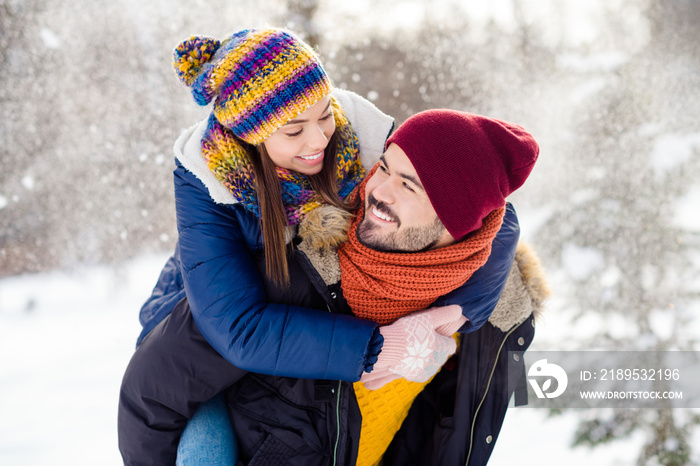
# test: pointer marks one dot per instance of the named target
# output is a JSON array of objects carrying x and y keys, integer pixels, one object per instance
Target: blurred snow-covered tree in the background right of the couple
[{"x": 621, "y": 232}]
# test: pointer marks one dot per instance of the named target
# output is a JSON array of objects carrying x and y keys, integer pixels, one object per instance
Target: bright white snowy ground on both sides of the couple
[{"x": 65, "y": 340}]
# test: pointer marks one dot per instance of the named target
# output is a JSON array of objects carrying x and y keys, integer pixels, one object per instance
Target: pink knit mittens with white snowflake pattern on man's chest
[{"x": 416, "y": 346}]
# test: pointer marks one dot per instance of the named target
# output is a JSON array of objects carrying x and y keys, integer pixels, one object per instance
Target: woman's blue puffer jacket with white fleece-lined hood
[{"x": 214, "y": 266}]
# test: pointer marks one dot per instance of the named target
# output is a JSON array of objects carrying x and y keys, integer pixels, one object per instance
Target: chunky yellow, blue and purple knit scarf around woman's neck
[{"x": 229, "y": 161}]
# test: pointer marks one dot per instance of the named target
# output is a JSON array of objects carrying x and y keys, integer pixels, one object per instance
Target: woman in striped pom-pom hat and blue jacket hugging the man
[{"x": 275, "y": 123}]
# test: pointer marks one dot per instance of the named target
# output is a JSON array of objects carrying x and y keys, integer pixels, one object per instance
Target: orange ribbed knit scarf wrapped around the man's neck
[{"x": 384, "y": 286}]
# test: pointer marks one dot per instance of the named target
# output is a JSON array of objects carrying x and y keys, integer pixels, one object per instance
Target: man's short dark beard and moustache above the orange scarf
[{"x": 411, "y": 239}]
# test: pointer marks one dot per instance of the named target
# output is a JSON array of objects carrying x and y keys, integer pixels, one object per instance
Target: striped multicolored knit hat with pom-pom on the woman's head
[{"x": 258, "y": 79}]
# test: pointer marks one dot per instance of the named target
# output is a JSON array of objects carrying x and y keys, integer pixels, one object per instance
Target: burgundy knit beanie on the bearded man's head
[{"x": 468, "y": 164}]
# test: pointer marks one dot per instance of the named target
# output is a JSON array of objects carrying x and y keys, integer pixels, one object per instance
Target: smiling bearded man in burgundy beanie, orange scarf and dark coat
[{"x": 428, "y": 216}]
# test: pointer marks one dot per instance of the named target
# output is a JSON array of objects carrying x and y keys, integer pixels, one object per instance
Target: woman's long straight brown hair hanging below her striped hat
[{"x": 273, "y": 218}]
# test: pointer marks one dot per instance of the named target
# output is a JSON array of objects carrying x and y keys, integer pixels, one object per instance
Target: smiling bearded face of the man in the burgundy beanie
[{"x": 398, "y": 214}]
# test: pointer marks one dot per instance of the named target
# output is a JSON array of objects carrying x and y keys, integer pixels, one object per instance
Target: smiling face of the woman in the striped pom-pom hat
[{"x": 299, "y": 144}]
